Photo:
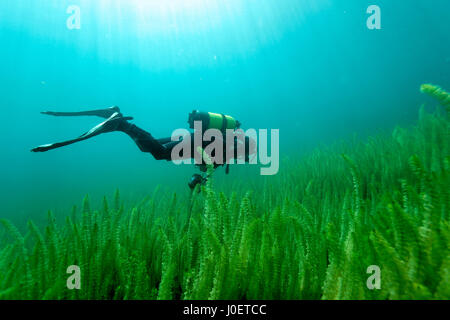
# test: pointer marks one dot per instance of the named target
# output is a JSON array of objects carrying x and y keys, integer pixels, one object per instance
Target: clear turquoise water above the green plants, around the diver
[{"x": 311, "y": 69}]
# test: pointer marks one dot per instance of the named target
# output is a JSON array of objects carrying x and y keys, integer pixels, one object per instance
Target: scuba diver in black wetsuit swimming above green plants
[{"x": 161, "y": 149}]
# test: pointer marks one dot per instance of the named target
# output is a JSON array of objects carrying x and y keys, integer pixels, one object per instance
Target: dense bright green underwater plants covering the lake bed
[{"x": 311, "y": 234}]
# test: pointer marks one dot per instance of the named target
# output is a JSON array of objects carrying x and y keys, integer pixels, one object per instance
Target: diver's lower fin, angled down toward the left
[{"x": 109, "y": 125}]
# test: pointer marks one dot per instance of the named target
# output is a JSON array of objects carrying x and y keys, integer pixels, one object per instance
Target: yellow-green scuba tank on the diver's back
[{"x": 213, "y": 121}]
